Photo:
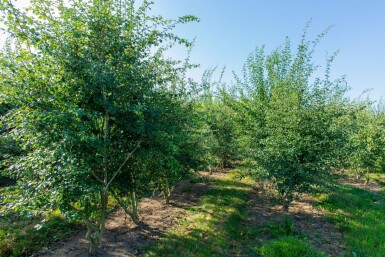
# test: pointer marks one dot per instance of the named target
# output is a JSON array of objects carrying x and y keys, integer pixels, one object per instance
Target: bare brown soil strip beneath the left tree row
[{"x": 122, "y": 237}]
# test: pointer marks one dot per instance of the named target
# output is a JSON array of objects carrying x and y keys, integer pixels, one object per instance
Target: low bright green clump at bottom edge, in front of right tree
[{"x": 288, "y": 247}]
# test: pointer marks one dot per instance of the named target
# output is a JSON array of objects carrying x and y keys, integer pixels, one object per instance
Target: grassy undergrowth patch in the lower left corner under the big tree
[{"x": 24, "y": 232}]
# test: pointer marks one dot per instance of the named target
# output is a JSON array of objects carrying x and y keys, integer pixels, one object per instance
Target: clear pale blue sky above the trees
[{"x": 231, "y": 29}]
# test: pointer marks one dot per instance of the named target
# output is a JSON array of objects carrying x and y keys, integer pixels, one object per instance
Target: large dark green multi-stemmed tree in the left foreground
[{"x": 82, "y": 76}]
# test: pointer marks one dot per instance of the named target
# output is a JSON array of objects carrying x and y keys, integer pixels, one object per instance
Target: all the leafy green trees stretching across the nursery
[{"x": 93, "y": 110}]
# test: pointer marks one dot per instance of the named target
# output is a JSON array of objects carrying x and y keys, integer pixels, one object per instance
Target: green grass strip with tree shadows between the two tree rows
[{"x": 214, "y": 228}]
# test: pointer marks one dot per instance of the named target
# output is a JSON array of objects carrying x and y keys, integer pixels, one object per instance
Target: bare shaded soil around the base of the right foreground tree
[{"x": 308, "y": 220}]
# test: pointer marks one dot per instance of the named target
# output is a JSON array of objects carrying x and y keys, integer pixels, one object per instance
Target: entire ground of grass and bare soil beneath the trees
[{"x": 218, "y": 214}]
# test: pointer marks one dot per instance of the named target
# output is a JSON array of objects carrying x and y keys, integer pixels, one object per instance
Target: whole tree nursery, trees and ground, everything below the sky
[{"x": 109, "y": 148}]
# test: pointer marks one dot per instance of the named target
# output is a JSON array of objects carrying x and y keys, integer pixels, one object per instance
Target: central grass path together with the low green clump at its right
[{"x": 218, "y": 227}]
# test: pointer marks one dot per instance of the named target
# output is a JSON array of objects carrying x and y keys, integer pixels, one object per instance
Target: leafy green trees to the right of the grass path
[{"x": 295, "y": 129}]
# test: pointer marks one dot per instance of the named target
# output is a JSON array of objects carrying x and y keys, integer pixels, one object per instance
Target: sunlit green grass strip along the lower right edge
[{"x": 360, "y": 215}]
